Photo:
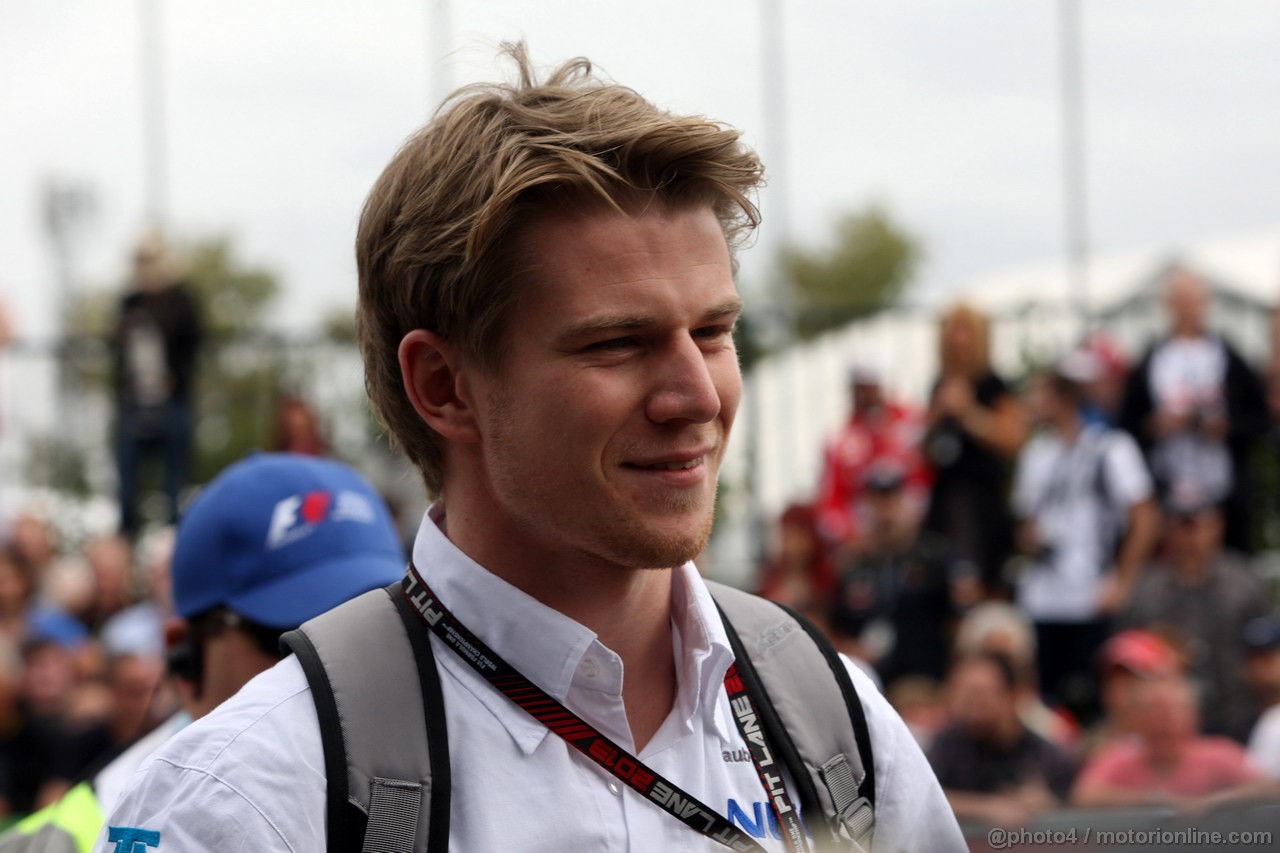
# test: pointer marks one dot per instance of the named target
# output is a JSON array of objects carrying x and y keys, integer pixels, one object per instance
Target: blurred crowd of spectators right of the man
[{"x": 1054, "y": 578}]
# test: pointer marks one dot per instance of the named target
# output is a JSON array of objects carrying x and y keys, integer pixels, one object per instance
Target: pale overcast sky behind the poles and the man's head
[{"x": 281, "y": 115}]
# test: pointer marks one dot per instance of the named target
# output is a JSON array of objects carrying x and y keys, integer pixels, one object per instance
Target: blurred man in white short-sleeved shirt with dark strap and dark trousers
[{"x": 1087, "y": 523}]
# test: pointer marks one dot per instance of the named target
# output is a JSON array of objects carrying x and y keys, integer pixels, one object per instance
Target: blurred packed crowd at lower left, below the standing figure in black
[{"x": 81, "y": 656}]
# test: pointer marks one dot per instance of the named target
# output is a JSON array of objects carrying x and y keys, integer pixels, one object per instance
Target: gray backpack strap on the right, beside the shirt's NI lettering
[{"x": 813, "y": 715}]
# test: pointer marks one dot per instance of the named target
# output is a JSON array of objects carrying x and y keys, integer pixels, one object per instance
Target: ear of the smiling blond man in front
[{"x": 429, "y": 367}]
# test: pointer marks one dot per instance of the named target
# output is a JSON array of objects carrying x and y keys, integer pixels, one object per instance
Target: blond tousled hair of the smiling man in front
[{"x": 440, "y": 248}]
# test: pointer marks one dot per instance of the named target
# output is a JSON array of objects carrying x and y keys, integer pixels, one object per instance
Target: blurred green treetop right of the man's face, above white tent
[{"x": 863, "y": 271}]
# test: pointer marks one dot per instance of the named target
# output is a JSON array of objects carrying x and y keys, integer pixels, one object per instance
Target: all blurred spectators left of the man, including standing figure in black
[{"x": 85, "y": 626}]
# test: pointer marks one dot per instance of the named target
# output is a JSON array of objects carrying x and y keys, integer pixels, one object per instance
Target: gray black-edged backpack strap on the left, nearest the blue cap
[{"x": 387, "y": 786}]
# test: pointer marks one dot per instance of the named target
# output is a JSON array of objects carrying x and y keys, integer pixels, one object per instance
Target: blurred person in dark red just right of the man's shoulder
[{"x": 801, "y": 576}]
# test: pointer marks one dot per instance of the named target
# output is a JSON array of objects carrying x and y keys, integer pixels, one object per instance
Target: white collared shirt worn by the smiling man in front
[{"x": 252, "y": 774}]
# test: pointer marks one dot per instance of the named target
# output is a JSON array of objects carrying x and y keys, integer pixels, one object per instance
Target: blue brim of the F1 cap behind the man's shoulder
[{"x": 291, "y": 601}]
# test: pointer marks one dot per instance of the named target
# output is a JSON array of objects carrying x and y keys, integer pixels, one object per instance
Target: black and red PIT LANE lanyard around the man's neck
[{"x": 618, "y": 761}]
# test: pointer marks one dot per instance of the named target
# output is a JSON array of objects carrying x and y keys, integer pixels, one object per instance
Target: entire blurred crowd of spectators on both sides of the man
[{"x": 1053, "y": 578}]
